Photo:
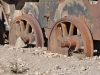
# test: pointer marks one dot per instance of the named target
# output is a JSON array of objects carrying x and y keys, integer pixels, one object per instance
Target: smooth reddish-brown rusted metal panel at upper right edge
[{"x": 95, "y": 13}]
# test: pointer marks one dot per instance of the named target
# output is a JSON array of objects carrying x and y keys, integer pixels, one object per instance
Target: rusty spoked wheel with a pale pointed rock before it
[{"x": 28, "y": 29}]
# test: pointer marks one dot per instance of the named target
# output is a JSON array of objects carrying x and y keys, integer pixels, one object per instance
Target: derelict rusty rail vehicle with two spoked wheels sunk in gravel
[{"x": 64, "y": 26}]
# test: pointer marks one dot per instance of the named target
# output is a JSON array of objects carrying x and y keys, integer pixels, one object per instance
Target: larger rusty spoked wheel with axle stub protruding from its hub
[{"x": 70, "y": 36}]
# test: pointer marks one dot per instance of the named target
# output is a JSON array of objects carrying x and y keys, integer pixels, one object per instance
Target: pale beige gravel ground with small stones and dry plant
[{"x": 38, "y": 61}]
